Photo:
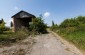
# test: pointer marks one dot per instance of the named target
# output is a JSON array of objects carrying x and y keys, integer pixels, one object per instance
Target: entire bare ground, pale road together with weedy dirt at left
[{"x": 46, "y": 44}]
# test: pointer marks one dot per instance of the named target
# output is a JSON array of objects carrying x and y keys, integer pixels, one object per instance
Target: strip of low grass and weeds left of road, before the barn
[{"x": 8, "y": 37}]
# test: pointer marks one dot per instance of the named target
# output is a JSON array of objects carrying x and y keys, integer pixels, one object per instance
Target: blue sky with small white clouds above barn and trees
[{"x": 52, "y": 10}]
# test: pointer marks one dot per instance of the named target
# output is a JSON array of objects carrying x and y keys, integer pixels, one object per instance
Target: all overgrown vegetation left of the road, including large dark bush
[{"x": 7, "y": 36}]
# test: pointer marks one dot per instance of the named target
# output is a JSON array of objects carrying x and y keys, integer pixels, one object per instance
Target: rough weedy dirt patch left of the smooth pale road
[{"x": 20, "y": 48}]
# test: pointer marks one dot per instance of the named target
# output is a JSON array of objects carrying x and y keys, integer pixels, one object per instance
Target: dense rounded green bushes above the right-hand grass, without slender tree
[{"x": 77, "y": 23}]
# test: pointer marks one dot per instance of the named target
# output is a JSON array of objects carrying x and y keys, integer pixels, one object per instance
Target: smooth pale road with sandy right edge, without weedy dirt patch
[{"x": 48, "y": 44}]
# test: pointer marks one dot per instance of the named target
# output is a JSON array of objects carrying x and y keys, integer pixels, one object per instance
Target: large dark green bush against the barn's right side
[{"x": 38, "y": 25}]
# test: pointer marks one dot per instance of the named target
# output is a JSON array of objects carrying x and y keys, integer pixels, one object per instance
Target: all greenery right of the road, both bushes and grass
[{"x": 73, "y": 30}]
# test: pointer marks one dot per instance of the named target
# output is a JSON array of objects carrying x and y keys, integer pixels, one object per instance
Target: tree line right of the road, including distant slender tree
[{"x": 76, "y": 23}]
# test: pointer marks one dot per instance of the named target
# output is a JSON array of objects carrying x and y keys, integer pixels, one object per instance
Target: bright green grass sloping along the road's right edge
[{"x": 76, "y": 37}]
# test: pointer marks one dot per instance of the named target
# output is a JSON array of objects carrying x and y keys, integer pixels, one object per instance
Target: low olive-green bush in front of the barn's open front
[{"x": 21, "y": 34}]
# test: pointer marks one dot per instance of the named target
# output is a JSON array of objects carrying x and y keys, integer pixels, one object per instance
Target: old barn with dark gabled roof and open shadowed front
[{"x": 21, "y": 19}]
